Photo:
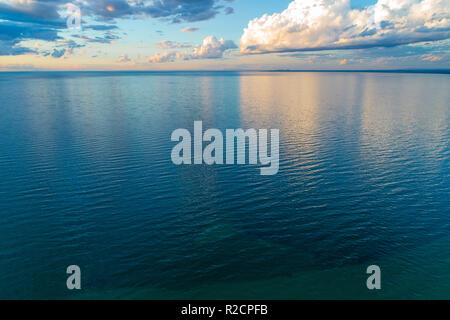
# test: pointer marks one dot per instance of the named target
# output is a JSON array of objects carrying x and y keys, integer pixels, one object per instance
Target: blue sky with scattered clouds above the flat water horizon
[{"x": 224, "y": 34}]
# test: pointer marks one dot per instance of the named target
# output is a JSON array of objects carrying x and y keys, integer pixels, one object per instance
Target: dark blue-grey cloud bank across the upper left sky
[{"x": 45, "y": 20}]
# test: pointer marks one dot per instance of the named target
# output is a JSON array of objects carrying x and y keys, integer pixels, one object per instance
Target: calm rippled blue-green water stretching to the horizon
[{"x": 87, "y": 179}]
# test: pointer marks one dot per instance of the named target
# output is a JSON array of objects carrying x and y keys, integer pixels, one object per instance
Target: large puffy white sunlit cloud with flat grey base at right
[{"x": 312, "y": 25}]
